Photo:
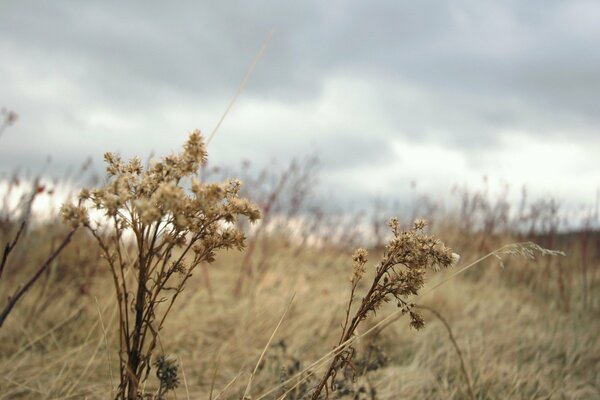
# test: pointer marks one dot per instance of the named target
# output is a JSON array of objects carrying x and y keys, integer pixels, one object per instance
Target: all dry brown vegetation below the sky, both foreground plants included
[{"x": 93, "y": 324}]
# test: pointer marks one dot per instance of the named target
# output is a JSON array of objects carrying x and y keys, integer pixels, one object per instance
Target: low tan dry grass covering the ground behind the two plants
[{"x": 522, "y": 333}]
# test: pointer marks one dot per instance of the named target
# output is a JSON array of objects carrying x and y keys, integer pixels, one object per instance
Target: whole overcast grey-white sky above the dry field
[{"x": 386, "y": 93}]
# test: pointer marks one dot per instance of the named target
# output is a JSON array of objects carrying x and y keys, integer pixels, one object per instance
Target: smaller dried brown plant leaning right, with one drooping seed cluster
[{"x": 399, "y": 275}]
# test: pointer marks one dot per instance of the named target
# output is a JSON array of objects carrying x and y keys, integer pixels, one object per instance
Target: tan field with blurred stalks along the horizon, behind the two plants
[{"x": 260, "y": 323}]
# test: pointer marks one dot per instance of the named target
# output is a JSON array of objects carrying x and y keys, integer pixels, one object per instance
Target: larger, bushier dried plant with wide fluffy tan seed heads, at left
[{"x": 176, "y": 223}]
